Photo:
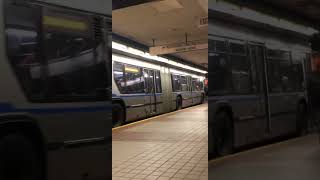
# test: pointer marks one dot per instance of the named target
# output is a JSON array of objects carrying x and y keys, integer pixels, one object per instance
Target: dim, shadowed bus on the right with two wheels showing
[{"x": 257, "y": 85}]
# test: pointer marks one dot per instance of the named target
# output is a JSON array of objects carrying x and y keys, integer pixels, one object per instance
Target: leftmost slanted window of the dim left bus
[{"x": 23, "y": 48}]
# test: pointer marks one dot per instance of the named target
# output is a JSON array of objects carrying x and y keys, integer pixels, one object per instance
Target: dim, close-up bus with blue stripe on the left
[{"x": 55, "y": 97}]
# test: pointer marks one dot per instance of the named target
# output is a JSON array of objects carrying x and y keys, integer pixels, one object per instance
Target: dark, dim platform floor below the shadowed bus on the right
[{"x": 294, "y": 159}]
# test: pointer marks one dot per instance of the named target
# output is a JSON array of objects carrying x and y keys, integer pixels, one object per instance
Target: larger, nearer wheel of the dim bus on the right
[{"x": 223, "y": 135}]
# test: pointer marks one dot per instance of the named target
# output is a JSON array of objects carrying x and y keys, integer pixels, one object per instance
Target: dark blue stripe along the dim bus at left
[{"x": 8, "y": 108}]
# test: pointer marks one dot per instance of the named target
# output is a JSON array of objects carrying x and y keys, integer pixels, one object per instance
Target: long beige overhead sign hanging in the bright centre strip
[{"x": 158, "y": 50}]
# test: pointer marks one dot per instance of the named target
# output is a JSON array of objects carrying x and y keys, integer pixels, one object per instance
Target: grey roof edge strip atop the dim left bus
[{"x": 96, "y": 6}]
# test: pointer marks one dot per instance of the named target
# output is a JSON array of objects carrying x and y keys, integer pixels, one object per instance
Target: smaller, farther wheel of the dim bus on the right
[{"x": 301, "y": 119}]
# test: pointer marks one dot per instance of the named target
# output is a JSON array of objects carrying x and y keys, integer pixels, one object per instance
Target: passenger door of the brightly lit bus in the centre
[{"x": 150, "y": 98}]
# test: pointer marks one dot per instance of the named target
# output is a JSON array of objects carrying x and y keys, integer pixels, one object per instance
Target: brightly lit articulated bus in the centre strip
[{"x": 145, "y": 85}]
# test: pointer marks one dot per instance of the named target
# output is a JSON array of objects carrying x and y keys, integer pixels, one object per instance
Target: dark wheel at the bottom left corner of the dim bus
[{"x": 19, "y": 159}]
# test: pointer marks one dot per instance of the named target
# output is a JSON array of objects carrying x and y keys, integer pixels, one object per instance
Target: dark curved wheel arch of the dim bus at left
[{"x": 28, "y": 128}]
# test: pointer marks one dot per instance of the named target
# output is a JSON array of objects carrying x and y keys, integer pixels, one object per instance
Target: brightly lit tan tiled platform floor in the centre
[{"x": 174, "y": 146}]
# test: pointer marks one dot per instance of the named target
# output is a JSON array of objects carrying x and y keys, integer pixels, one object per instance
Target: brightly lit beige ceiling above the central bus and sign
[{"x": 165, "y": 22}]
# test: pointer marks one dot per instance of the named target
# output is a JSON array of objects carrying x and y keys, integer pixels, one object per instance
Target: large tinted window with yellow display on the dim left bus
[{"x": 74, "y": 52}]
